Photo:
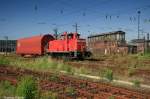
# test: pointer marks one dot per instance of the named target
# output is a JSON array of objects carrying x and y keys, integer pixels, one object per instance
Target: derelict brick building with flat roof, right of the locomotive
[{"x": 108, "y": 43}]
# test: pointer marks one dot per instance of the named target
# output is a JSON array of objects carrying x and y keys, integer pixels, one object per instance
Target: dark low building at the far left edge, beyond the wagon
[{"x": 7, "y": 46}]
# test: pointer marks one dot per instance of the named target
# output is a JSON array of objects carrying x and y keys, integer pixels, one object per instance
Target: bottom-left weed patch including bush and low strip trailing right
[{"x": 26, "y": 88}]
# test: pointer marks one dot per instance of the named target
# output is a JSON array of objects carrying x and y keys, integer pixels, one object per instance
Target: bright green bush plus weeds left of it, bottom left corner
[{"x": 26, "y": 88}]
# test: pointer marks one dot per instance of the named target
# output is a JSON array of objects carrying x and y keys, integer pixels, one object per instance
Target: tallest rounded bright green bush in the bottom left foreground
[{"x": 27, "y": 88}]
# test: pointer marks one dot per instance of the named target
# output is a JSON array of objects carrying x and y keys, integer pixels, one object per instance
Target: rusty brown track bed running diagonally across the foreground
[{"x": 81, "y": 88}]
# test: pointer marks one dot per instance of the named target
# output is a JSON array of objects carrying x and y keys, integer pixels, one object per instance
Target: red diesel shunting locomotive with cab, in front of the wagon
[{"x": 70, "y": 45}]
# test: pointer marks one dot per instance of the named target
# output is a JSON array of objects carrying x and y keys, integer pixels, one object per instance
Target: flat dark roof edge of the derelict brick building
[{"x": 109, "y": 33}]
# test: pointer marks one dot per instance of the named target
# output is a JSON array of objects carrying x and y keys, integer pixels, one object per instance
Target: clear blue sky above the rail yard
[{"x": 25, "y": 18}]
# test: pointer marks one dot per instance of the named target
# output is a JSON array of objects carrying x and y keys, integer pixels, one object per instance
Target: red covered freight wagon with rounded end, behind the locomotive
[{"x": 35, "y": 45}]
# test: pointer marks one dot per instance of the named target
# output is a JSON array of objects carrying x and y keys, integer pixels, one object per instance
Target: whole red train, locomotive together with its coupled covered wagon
[{"x": 69, "y": 45}]
